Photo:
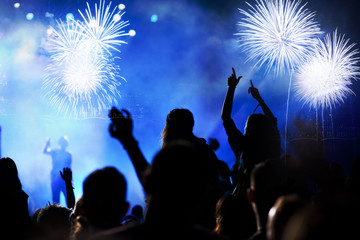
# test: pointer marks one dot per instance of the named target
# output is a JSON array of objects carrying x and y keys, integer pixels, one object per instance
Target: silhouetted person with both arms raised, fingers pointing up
[{"x": 260, "y": 141}]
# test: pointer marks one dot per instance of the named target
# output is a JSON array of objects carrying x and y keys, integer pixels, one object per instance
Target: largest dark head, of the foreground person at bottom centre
[{"x": 177, "y": 170}]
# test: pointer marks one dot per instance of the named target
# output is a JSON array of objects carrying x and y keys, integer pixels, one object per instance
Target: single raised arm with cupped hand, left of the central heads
[{"x": 121, "y": 128}]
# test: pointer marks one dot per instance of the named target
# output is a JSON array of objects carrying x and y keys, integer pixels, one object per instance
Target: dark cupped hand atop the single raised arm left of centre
[{"x": 121, "y": 124}]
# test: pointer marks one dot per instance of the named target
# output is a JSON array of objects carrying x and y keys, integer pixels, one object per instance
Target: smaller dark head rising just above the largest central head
[{"x": 179, "y": 125}]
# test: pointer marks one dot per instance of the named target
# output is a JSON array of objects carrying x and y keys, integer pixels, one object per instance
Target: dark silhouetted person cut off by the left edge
[{"x": 15, "y": 219}]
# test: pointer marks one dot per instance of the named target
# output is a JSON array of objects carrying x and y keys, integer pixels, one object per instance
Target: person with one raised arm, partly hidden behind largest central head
[{"x": 179, "y": 126}]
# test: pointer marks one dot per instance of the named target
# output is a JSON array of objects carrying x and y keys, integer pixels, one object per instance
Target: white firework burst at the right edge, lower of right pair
[{"x": 324, "y": 80}]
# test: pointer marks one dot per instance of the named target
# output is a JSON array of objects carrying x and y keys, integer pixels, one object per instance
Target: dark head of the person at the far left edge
[{"x": 8, "y": 174}]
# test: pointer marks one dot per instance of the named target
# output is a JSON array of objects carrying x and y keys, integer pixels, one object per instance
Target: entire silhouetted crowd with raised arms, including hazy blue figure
[{"x": 190, "y": 192}]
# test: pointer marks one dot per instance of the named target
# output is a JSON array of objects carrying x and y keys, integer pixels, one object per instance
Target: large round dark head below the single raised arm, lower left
[{"x": 104, "y": 198}]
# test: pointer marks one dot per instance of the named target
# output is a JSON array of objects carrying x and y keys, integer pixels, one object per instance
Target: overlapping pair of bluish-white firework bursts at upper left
[{"x": 82, "y": 79}]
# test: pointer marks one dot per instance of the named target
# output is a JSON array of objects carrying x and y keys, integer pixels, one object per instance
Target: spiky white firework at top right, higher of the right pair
[{"x": 278, "y": 33}]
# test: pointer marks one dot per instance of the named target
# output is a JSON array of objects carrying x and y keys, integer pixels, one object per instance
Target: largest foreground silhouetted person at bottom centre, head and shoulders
[{"x": 179, "y": 197}]
